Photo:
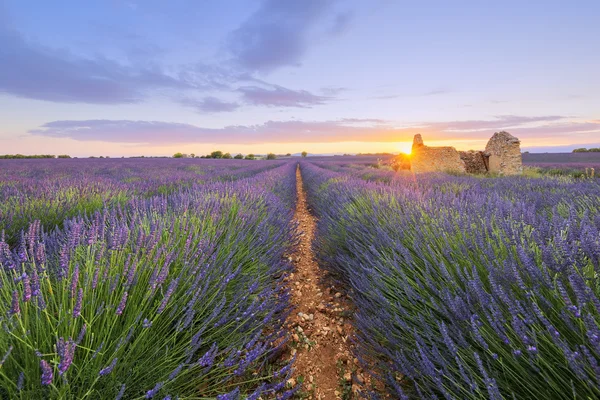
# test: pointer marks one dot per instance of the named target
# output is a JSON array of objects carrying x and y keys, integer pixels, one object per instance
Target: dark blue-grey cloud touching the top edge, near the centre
[{"x": 277, "y": 34}]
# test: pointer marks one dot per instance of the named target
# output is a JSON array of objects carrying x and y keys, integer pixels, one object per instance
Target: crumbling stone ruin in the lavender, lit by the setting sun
[{"x": 502, "y": 155}]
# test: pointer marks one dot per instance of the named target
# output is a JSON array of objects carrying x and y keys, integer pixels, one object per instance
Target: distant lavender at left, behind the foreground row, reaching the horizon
[{"x": 53, "y": 190}]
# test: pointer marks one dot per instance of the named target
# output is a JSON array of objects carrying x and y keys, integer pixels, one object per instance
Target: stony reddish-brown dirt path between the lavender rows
[{"x": 324, "y": 365}]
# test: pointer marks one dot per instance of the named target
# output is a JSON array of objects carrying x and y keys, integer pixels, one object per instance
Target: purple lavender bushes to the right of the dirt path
[{"x": 468, "y": 288}]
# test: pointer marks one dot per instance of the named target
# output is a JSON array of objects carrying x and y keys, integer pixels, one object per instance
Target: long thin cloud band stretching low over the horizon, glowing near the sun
[{"x": 365, "y": 130}]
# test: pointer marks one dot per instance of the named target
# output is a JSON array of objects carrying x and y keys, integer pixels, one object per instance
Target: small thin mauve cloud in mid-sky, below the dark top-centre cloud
[{"x": 278, "y": 96}]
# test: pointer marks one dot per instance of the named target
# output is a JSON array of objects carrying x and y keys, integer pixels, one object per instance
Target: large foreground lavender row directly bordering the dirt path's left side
[{"x": 178, "y": 295}]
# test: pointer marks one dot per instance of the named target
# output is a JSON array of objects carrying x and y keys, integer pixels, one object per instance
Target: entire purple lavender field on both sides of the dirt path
[{"x": 166, "y": 279}]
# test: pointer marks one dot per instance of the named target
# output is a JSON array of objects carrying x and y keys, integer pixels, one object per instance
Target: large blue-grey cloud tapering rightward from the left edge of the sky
[{"x": 34, "y": 71}]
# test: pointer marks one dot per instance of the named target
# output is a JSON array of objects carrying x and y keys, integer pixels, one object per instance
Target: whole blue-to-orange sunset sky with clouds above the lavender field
[{"x": 155, "y": 77}]
